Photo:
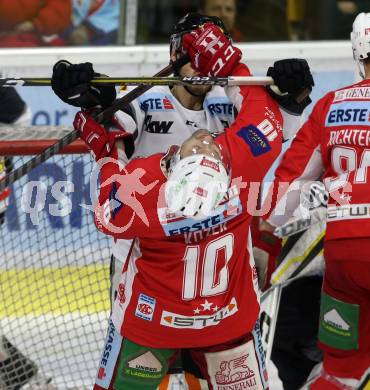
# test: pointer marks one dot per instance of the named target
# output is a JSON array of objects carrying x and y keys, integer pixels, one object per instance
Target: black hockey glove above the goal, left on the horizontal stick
[{"x": 71, "y": 83}]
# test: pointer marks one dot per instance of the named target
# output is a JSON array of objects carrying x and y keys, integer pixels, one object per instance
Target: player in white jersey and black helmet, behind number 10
[{"x": 184, "y": 110}]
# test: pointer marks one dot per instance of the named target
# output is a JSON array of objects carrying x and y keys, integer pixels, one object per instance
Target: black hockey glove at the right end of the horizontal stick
[{"x": 293, "y": 80}]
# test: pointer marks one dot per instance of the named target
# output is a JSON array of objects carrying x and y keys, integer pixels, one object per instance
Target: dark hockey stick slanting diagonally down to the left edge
[{"x": 10, "y": 178}]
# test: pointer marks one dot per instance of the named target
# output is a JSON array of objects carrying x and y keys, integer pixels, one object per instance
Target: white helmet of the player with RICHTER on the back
[{"x": 360, "y": 38}]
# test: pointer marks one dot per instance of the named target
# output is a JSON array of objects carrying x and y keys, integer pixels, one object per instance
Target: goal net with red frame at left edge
[{"x": 54, "y": 266}]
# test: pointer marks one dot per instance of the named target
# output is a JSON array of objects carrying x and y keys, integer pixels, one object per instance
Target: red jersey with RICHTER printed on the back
[{"x": 334, "y": 143}]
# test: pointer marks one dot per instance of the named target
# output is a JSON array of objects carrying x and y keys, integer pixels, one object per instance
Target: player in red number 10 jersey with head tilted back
[{"x": 190, "y": 281}]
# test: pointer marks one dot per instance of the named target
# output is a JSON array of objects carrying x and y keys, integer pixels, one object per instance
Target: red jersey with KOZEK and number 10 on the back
[{"x": 188, "y": 282}]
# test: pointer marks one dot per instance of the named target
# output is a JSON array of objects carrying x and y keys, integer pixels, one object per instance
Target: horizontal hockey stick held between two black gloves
[{"x": 156, "y": 80}]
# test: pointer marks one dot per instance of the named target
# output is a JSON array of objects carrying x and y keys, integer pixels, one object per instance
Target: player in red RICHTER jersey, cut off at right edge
[{"x": 335, "y": 142}]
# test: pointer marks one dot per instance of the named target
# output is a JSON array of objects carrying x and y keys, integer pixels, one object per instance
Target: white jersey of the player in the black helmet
[{"x": 161, "y": 121}]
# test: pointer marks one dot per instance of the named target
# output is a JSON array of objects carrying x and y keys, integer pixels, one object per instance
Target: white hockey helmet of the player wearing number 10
[{"x": 196, "y": 185}]
